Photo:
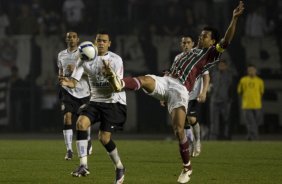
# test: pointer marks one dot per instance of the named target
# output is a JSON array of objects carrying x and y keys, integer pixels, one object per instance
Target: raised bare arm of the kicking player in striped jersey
[{"x": 232, "y": 27}]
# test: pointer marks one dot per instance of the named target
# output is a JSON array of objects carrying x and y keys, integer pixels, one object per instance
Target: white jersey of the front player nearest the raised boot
[{"x": 101, "y": 91}]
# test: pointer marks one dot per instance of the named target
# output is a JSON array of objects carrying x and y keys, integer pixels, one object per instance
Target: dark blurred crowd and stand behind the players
[{"x": 146, "y": 33}]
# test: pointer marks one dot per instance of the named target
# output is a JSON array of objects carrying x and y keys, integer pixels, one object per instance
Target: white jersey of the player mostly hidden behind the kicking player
[{"x": 198, "y": 85}]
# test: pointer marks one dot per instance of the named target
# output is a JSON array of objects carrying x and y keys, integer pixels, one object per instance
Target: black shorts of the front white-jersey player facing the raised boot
[{"x": 111, "y": 116}]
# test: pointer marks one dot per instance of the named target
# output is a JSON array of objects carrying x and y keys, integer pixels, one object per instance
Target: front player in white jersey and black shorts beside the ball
[{"x": 105, "y": 106}]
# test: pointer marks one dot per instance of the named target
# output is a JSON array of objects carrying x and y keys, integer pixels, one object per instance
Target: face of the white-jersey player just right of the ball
[{"x": 103, "y": 43}]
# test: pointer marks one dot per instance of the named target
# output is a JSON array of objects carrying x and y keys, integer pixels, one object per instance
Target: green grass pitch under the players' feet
[{"x": 147, "y": 162}]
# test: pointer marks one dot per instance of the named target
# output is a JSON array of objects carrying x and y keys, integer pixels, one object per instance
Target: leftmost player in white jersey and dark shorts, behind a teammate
[{"x": 71, "y": 99}]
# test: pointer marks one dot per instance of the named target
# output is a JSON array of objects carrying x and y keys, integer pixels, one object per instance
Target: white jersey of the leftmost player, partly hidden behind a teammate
[{"x": 66, "y": 61}]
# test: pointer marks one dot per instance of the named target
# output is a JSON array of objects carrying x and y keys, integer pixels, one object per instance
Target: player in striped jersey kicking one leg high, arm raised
[{"x": 173, "y": 89}]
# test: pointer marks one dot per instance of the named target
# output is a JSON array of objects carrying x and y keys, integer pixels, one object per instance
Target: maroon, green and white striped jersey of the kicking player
[{"x": 191, "y": 65}]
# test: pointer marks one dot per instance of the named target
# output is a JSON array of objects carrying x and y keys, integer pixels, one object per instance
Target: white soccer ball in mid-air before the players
[{"x": 88, "y": 51}]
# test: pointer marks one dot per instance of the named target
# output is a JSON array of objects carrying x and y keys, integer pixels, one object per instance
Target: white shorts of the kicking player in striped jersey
[{"x": 171, "y": 91}]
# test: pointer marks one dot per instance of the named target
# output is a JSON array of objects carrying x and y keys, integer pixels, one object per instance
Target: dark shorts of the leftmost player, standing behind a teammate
[{"x": 70, "y": 103}]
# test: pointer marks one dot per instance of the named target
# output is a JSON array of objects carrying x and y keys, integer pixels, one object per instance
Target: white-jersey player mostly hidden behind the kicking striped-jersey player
[{"x": 198, "y": 94}]
